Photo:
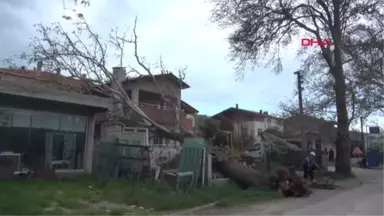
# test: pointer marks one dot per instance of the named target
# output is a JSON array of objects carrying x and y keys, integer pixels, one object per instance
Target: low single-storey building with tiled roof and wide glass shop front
[{"x": 46, "y": 118}]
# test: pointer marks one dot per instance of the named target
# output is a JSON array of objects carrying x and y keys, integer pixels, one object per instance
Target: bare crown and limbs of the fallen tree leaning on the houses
[{"x": 81, "y": 53}]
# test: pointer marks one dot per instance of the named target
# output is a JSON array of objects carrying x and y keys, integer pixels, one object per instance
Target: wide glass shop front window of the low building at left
[{"x": 46, "y": 139}]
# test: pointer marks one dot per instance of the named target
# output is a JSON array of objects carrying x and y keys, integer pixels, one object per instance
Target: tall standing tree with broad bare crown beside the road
[{"x": 262, "y": 28}]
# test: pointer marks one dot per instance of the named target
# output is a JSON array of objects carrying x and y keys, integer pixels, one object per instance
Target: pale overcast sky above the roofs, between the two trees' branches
[{"x": 177, "y": 30}]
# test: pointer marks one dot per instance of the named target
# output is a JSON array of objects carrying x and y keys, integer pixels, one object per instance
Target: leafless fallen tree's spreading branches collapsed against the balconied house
[{"x": 83, "y": 54}]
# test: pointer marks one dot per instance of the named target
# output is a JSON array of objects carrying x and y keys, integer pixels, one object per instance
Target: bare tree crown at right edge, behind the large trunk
[{"x": 366, "y": 68}]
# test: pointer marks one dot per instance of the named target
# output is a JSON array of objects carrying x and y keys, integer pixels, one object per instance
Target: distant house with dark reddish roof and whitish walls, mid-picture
[{"x": 247, "y": 123}]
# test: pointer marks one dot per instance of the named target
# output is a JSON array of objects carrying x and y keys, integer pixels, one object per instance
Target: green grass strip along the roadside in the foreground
[{"x": 115, "y": 197}]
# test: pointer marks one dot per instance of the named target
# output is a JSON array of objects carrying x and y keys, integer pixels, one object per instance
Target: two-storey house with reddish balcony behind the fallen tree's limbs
[{"x": 146, "y": 94}]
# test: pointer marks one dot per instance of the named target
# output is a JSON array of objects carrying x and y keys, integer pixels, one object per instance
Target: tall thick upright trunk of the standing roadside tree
[{"x": 343, "y": 146}]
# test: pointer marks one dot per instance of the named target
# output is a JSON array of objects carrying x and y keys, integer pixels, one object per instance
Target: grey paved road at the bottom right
[{"x": 361, "y": 197}]
